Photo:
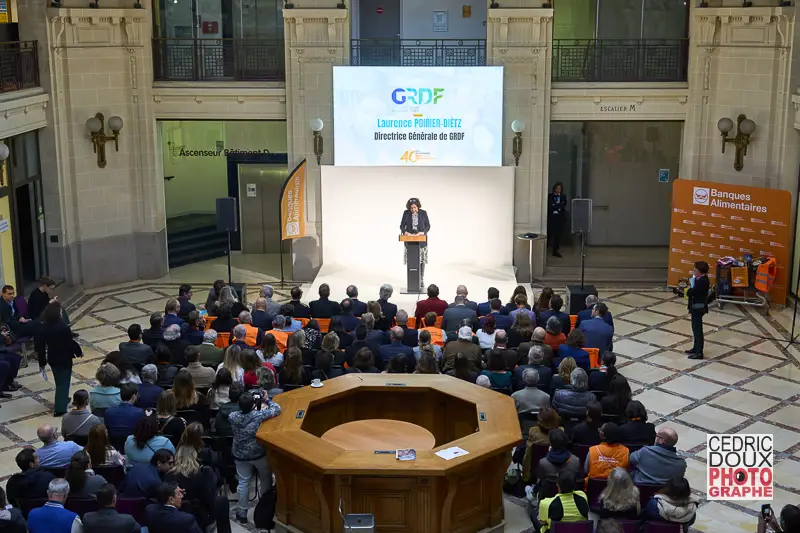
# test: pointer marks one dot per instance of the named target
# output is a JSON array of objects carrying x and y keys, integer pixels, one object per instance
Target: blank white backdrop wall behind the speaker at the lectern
[{"x": 471, "y": 210}]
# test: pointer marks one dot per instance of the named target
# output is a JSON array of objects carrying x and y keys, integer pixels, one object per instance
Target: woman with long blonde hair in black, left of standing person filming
[{"x": 199, "y": 483}]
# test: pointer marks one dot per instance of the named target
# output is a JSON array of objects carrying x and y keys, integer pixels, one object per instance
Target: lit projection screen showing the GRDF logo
[{"x": 419, "y": 116}]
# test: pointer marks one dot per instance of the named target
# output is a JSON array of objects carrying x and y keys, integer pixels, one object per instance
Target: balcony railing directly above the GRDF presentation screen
[{"x": 418, "y": 52}]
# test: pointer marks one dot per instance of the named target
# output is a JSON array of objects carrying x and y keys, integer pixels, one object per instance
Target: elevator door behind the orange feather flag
[{"x": 259, "y": 206}]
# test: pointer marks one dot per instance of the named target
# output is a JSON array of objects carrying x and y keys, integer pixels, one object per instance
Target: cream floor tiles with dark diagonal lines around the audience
[{"x": 749, "y": 381}]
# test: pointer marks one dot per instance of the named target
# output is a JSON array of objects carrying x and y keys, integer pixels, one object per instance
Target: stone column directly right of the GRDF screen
[{"x": 520, "y": 40}]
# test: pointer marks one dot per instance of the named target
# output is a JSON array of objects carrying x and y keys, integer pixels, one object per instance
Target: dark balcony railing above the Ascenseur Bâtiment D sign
[{"x": 218, "y": 59}]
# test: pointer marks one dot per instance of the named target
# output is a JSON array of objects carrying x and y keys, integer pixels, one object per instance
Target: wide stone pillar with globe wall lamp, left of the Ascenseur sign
[{"x": 104, "y": 225}]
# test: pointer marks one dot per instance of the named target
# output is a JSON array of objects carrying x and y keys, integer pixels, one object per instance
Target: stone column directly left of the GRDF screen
[{"x": 316, "y": 40}]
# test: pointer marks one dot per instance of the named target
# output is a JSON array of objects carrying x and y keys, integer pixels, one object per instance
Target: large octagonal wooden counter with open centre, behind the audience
[{"x": 315, "y": 471}]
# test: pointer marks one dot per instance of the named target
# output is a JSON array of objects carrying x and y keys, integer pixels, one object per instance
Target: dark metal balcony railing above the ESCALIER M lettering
[{"x": 620, "y": 60}]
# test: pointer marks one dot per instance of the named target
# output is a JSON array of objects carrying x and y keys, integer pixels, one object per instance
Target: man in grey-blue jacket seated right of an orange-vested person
[{"x": 655, "y": 465}]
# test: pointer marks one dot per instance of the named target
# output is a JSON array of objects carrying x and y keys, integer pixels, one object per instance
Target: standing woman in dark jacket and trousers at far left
[{"x": 54, "y": 345}]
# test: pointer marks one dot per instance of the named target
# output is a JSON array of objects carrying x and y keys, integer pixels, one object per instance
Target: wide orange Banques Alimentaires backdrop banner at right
[{"x": 713, "y": 220}]
